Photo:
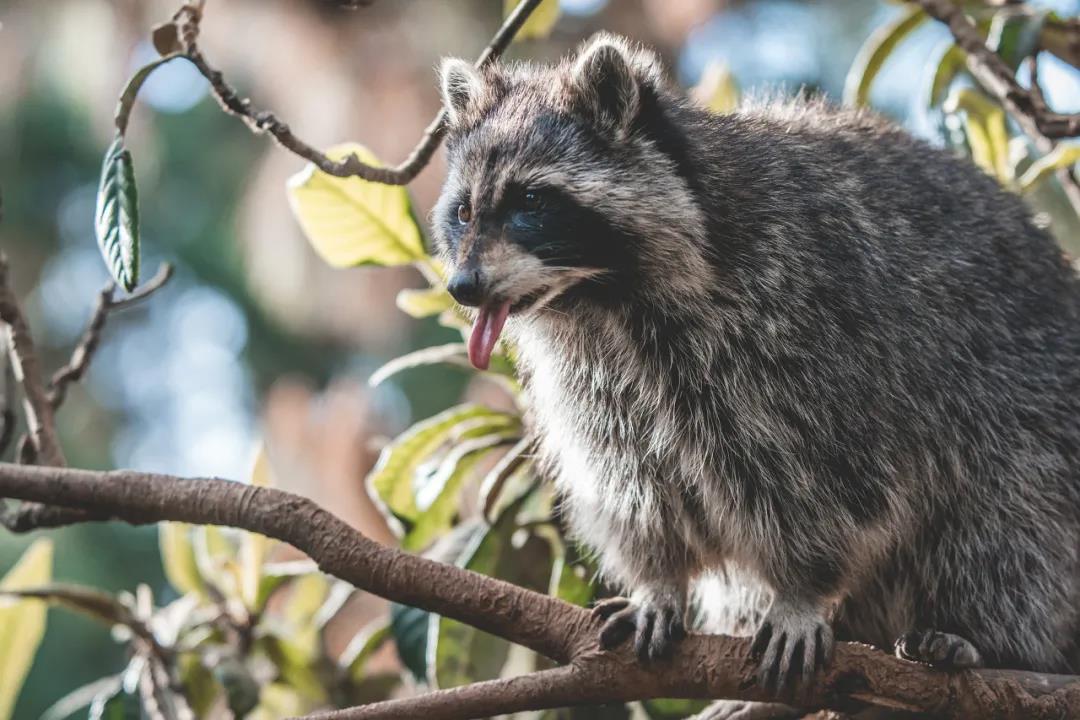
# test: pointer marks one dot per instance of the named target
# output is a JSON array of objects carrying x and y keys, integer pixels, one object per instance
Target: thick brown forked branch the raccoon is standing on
[{"x": 704, "y": 667}]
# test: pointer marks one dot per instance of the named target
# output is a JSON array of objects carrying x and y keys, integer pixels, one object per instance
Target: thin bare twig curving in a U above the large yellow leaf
[{"x": 262, "y": 121}]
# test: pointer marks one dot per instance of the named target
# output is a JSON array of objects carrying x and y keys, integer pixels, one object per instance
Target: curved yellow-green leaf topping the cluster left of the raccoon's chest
[{"x": 393, "y": 484}]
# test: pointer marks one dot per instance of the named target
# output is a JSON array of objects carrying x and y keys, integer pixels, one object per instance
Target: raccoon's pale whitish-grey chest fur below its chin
[{"x": 619, "y": 449}]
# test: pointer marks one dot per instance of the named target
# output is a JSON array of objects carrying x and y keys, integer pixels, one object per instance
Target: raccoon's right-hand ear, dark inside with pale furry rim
[{"x": 609, "y": 76}]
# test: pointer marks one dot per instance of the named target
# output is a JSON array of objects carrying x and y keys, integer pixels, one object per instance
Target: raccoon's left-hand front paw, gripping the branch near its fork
[{"x": 656, "y": 628}]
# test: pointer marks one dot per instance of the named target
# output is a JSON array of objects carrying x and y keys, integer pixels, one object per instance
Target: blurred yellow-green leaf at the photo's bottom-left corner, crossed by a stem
[{"x": 22, "y": 622}]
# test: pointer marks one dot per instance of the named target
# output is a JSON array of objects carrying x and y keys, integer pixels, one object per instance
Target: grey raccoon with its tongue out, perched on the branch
[{"x": 790, "y": 349}]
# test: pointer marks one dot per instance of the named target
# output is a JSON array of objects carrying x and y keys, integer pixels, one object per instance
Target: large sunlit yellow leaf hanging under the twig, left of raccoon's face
[{"x": 352, "y": 222}]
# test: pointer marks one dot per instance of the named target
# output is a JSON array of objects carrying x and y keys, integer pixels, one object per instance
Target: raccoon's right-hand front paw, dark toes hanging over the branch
[{"x": 793, "y": 644}]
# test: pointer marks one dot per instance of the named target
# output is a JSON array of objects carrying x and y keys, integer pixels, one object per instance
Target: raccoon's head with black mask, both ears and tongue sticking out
[{"x": 565, "y": 187}]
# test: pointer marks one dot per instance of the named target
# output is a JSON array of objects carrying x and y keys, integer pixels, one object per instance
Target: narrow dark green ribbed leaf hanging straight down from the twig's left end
[{"x": 116, "y": 220}]
